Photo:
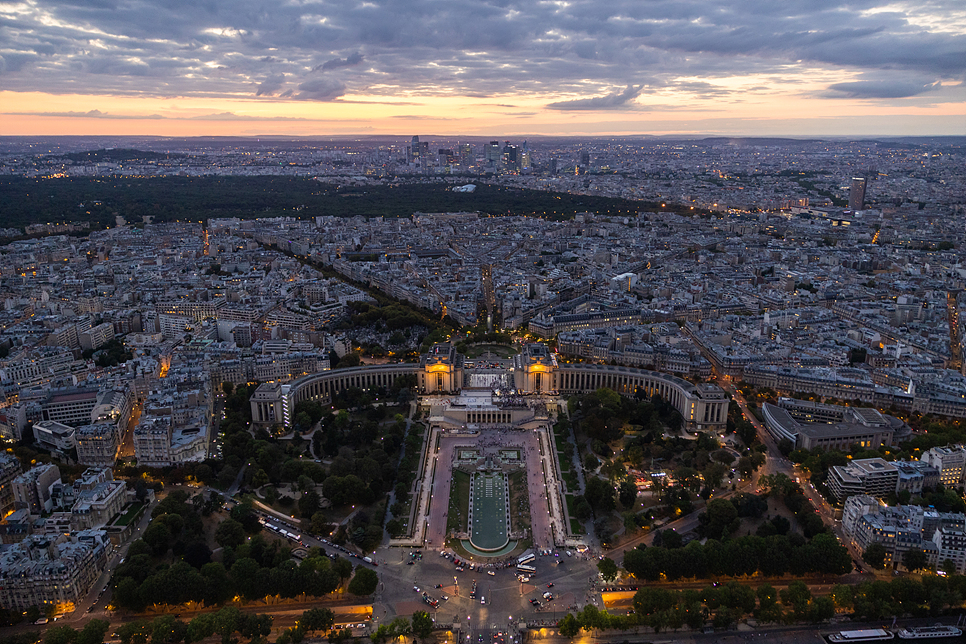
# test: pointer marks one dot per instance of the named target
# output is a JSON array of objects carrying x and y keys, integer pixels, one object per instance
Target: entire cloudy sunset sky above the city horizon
[{"x": 482, "y": 67}]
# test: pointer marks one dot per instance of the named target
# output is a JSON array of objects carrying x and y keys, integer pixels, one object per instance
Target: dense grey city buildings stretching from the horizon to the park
[{"x": 779, "y": 288}]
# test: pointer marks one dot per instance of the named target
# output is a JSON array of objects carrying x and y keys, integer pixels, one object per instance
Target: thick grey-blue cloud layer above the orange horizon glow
[{"x": 596, "y": 55}]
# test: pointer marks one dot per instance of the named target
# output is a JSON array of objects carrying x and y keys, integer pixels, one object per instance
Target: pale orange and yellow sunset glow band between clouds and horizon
[{"x": 34, "y": 113}]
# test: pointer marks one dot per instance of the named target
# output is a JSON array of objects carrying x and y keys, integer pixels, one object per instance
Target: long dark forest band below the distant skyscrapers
[{"x": 28, "y": 200}]
